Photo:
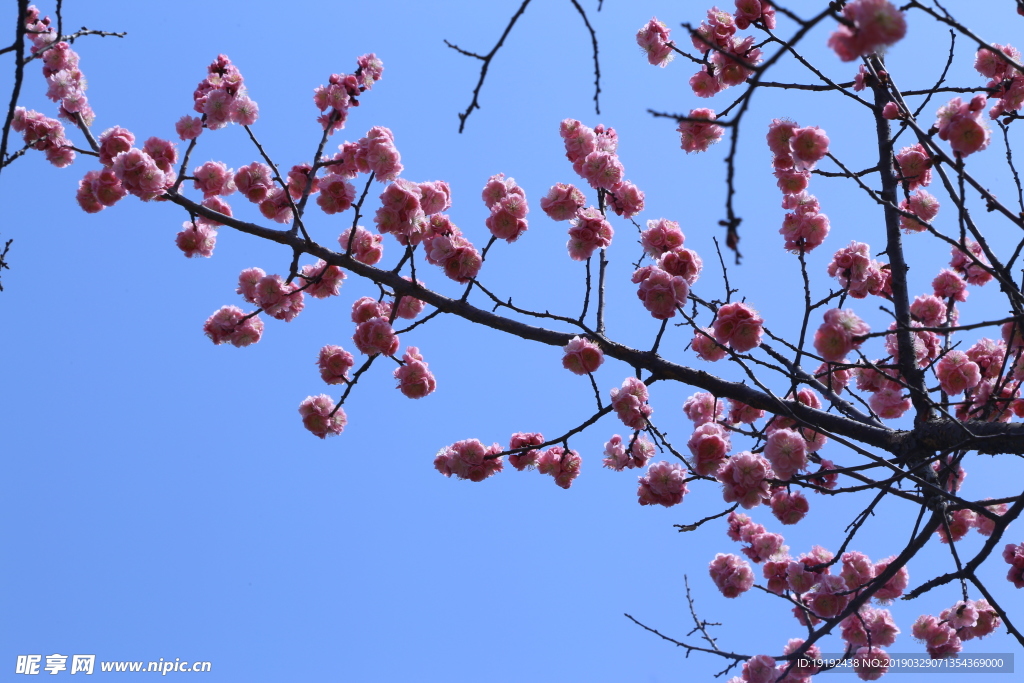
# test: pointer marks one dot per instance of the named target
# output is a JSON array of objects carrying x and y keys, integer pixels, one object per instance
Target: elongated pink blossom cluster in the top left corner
[{"x": 66, "y": 83}]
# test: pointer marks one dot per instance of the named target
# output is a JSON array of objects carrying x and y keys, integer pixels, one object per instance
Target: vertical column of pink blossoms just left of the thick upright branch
[{"x": 796, "y": 151}]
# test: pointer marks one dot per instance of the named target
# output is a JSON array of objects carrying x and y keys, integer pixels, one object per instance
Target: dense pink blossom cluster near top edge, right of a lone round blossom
[{"x": 732, "y": 58}]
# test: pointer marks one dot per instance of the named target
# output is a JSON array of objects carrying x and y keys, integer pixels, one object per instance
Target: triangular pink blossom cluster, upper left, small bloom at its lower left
[{"x": 222, "y": 99}]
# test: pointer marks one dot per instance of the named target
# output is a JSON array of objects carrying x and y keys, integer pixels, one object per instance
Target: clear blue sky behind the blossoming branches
[{"x": 162, "y": 499}]
